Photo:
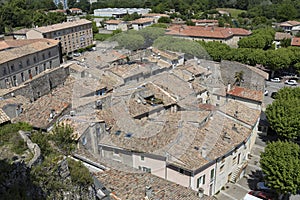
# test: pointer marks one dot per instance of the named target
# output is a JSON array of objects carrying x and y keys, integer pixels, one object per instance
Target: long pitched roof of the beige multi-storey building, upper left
[{"x": 56, "y": 27}]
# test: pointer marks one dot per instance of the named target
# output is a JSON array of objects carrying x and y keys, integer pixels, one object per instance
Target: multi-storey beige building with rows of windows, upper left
[{"x": 73, "y": 35}]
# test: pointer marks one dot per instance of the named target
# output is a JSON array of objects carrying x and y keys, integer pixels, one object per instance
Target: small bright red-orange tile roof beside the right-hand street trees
[{"x": 246, "y": 93}]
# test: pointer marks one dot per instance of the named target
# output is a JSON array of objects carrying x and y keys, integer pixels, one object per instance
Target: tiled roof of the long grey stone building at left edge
[{"x": 33, "y": 46}]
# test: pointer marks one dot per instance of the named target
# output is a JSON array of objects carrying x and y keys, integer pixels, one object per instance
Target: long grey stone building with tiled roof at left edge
[{"x": 24, "y": 59}]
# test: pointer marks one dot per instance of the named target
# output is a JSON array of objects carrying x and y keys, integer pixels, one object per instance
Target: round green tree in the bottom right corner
[{"x": 281, "y": 163}]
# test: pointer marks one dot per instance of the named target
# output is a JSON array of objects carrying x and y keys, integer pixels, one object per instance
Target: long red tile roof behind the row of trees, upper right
[{"x": 206, "y": 32}]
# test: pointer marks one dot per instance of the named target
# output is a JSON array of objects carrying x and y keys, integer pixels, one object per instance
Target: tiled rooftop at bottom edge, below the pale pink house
[{"x": 132, "y": 186}]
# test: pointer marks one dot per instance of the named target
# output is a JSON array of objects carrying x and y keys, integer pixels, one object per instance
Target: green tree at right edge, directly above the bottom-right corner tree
[{"x": 283, "y": 113}]
